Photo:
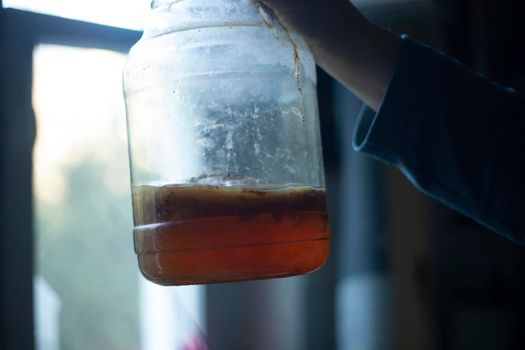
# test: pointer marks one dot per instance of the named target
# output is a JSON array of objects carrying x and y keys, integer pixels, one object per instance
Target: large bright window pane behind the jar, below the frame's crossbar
[{"x": 88, "y": 291}]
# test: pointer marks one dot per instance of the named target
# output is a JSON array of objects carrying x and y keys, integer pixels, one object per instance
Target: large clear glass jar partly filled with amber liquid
[{"x": 225, "y": 148}]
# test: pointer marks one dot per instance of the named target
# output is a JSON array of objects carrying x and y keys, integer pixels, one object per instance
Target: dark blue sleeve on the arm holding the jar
[{"x": 457, "y": 136}]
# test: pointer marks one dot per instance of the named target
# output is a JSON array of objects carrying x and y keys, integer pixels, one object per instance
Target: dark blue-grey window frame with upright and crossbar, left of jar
[{"x": 20, "y": 32}]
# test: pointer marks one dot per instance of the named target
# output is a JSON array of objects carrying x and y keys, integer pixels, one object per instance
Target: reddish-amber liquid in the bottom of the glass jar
[{"x": 207, "y": 234}]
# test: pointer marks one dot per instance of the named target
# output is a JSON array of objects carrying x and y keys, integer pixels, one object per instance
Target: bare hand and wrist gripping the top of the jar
[{"x": 345, "y": 44}]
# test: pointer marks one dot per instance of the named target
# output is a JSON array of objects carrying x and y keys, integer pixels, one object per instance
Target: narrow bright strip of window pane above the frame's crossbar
[{"x": 129, "y": 14}]
